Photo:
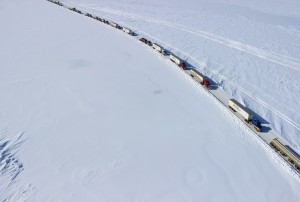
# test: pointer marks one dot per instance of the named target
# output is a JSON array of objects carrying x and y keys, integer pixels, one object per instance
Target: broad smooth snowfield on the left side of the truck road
[{"x": 87, "y": 113}]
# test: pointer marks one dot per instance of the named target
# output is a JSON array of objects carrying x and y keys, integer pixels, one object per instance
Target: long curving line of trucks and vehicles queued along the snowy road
[{"x": 245, "y": 113}]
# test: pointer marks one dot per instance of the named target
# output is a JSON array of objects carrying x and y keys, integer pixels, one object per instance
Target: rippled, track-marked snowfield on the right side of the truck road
[{"x": 251, "y": 48}]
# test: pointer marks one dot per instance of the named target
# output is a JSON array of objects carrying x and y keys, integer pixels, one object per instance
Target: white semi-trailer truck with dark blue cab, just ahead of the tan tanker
[{"x": 245, "y": 113}]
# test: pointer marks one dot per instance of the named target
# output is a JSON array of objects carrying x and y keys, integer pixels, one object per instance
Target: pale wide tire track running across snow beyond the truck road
[{"x": 282, "y": 60}]
